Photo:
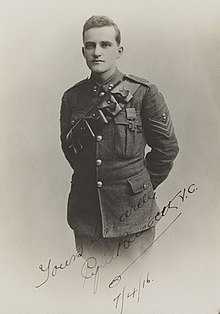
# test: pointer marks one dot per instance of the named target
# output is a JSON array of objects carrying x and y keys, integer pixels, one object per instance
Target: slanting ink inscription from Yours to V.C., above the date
[{"x": 91, "y": 268}]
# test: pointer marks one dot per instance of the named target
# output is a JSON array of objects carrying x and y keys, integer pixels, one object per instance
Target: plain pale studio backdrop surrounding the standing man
[{"x": 175, "y": 44}]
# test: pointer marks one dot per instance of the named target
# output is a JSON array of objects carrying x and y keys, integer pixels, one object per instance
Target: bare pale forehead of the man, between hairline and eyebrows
[{"x": 97, "y": 34}]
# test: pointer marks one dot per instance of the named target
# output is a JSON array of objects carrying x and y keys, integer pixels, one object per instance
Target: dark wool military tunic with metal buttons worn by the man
[{"x": 112, "y": 188}]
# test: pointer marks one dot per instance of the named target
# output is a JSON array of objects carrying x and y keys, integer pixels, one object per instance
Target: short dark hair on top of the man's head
[{"x": 102, "y": 21}]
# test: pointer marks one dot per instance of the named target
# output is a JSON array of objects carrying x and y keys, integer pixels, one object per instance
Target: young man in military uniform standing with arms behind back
[{"x": 106, "y": 122}]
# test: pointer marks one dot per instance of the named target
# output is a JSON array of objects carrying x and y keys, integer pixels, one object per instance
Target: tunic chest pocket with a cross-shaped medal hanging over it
[{"x": 128, "y": 137}]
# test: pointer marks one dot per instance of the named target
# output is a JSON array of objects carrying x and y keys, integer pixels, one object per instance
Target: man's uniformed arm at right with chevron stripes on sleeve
[{"x": 160, "y": 136}]
